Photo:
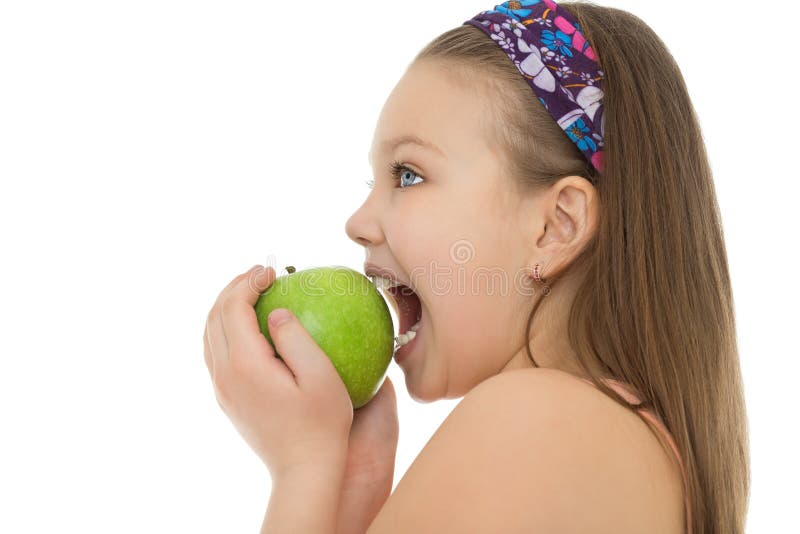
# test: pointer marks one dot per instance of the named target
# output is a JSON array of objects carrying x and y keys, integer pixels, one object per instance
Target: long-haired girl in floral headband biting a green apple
[{"x": 543, "y": 195}]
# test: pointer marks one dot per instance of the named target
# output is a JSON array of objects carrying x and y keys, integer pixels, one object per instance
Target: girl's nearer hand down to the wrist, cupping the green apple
[{"x": 294, "y": 413}]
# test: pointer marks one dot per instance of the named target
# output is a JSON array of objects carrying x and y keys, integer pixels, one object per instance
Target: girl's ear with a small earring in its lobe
[{"x": 569, "y": 214}]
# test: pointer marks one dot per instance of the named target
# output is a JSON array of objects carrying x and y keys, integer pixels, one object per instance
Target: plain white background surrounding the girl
[{"x": 152, "y": 150}]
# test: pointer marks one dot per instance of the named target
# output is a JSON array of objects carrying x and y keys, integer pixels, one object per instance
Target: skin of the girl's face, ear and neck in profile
[{"x": 473, "y": 327}]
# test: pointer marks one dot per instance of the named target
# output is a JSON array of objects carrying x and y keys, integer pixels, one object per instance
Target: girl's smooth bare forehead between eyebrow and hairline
[{"x": 429, "y": 109}]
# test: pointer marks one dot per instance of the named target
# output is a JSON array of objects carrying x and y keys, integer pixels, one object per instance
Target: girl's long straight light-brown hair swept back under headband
[{"x": 655, "y": 307}]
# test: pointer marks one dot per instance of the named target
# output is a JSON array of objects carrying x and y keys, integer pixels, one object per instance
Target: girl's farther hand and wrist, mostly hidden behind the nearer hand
[{"x": 369, "y": 470}]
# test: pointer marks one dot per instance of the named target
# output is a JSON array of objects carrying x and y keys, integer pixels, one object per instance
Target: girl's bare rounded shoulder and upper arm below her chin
[{"x": 537, "y": 450}]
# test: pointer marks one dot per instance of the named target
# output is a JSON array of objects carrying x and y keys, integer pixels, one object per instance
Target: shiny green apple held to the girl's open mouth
[{"x": 346, "y": 316}]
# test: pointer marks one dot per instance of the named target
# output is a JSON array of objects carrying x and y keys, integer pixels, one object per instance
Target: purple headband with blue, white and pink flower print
[{"x": 557, "y": 62}]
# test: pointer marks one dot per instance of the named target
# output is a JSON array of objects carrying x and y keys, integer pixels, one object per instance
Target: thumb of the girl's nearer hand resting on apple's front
[{"x": 309, "y": 363}]
